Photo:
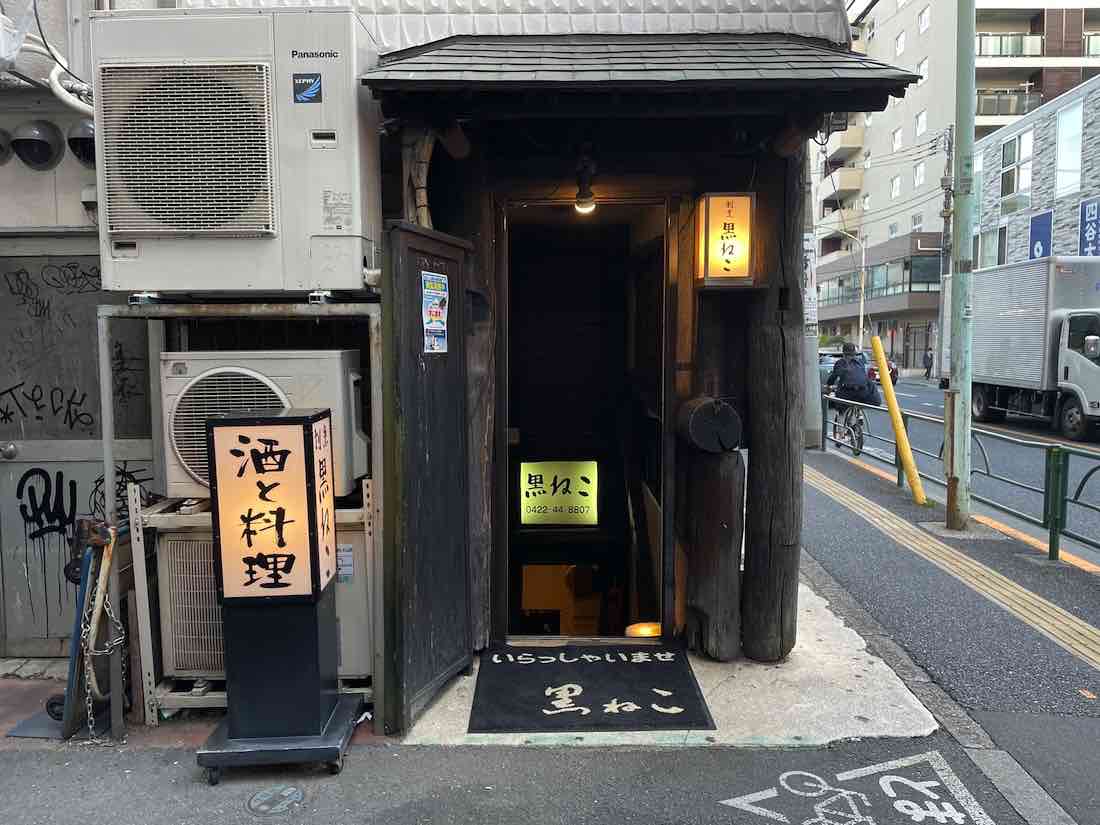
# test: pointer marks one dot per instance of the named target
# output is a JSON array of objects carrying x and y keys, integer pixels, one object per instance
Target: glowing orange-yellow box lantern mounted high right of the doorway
[{"x": 724, "y": 226}]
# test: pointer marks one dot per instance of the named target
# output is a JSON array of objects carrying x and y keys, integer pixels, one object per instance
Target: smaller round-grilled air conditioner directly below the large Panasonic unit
[{"x": 197, "y": 386}]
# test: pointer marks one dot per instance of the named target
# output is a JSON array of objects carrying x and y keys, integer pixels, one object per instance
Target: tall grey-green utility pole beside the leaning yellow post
[{"x": 959, "y": 475}]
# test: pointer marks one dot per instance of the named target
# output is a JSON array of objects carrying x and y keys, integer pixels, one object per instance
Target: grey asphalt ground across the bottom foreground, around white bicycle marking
[{"x": 490, "y": 786}]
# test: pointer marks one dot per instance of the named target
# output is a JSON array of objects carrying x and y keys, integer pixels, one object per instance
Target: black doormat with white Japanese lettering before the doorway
[{"x": 523, "y": 690}]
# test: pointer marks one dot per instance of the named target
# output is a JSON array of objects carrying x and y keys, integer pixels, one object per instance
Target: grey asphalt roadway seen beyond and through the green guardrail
[{"x": 1000, "y": 467}]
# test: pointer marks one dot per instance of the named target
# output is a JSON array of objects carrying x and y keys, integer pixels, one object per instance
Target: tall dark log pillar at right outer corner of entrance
[{"x": 774, "y": 509}]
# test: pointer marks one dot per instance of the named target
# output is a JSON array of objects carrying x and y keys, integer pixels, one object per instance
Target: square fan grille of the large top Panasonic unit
[{"x": 188, "y": 150}]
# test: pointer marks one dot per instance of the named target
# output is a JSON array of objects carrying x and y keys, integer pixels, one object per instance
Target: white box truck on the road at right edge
[{"x": 1037, "y": 343}]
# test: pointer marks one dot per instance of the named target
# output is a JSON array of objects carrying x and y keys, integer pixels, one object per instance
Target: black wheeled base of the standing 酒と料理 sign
[{"x": 222, "y": 752}]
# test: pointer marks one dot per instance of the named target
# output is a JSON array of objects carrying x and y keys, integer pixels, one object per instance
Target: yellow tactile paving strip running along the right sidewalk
[{"x": 1062, "y": 628}]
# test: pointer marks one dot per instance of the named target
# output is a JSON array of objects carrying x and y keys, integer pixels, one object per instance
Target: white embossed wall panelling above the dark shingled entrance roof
[{"x": 403, "y": 24}]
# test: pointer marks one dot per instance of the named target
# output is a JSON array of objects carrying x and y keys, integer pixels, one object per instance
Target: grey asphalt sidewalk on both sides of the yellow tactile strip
[{"x": 1036, "y": 700}]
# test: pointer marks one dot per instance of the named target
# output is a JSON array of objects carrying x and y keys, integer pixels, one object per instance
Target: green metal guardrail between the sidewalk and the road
[{"x": 1055, "y": 490}]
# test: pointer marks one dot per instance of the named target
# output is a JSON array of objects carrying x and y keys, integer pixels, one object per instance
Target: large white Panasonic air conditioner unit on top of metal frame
[{"x": 236, "y": 150}]
